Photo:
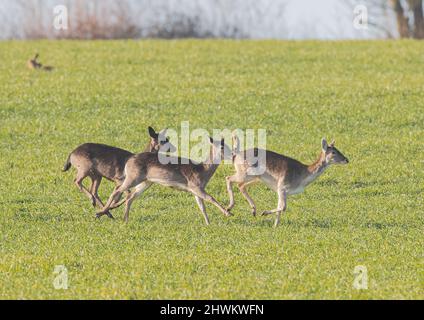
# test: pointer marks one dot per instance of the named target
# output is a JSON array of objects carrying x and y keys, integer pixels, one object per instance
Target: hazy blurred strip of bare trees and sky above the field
[{"x": 117, "y": 19}]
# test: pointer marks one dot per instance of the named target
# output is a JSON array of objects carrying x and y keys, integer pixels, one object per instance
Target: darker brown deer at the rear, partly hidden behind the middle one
[{"x": 98, "y": 161}]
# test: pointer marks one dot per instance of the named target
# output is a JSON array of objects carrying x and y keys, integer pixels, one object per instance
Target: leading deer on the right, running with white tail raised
[{"x": 284, "y": 175}]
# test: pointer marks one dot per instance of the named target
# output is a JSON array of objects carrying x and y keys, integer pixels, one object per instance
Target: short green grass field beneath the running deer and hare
[{"x": 367, "y": 95}]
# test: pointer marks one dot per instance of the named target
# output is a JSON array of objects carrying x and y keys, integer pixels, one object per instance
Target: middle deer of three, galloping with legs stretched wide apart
[{"x": 145, "y": 169}]
